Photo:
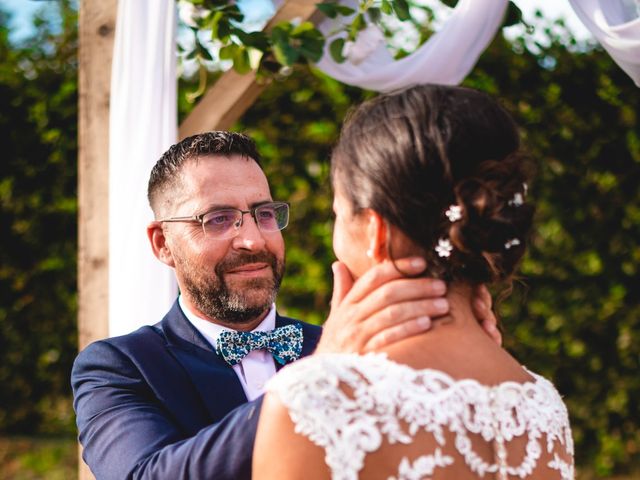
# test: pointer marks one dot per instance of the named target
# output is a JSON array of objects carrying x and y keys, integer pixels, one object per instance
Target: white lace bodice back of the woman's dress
[{"x": 351, "y": 405}]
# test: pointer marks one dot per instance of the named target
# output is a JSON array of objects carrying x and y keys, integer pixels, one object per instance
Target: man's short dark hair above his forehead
[{"x": 166, "y": 170}]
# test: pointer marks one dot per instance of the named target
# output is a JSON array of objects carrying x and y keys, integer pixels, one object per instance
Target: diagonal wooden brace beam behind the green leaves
[{"x": 226, "y": 101}]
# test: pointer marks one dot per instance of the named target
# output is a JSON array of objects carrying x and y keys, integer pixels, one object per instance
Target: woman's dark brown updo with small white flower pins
[{"x": 411, "y": 155}]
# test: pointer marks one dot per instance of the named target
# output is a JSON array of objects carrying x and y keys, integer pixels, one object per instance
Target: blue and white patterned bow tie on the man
[{"x": 284, "y": 343}]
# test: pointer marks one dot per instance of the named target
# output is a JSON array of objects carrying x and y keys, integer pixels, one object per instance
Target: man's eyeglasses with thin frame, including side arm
[{"x": 226, "y": 222}]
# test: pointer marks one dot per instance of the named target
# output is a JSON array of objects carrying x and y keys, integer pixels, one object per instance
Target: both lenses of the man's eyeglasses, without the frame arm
[{"x": 270, "y": 217}]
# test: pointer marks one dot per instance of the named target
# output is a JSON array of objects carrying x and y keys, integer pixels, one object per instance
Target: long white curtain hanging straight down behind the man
[{"x": 142, "y": 125}]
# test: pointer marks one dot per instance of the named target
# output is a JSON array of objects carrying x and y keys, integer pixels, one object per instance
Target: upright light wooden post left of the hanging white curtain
[{"x": 97, "y": 20}]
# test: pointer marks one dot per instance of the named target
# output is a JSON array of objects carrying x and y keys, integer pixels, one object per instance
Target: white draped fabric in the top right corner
[{"x": 616, "y": 25}]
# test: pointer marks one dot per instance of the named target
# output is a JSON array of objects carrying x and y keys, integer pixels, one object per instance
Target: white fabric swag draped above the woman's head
[{"x": 447, "y": 57}]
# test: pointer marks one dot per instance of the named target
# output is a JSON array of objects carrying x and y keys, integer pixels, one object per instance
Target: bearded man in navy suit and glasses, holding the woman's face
[{"x": 181, "y": 399}]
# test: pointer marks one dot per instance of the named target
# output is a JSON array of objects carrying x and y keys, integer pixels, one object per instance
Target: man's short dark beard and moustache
[{"x": 213, "y": 297}]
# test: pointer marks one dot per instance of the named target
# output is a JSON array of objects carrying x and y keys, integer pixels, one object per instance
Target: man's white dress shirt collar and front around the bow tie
[{"x": 257, "y": 367}]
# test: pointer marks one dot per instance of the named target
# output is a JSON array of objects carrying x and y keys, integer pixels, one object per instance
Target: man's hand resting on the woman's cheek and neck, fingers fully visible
[{"x": 381, "y": 307}]
